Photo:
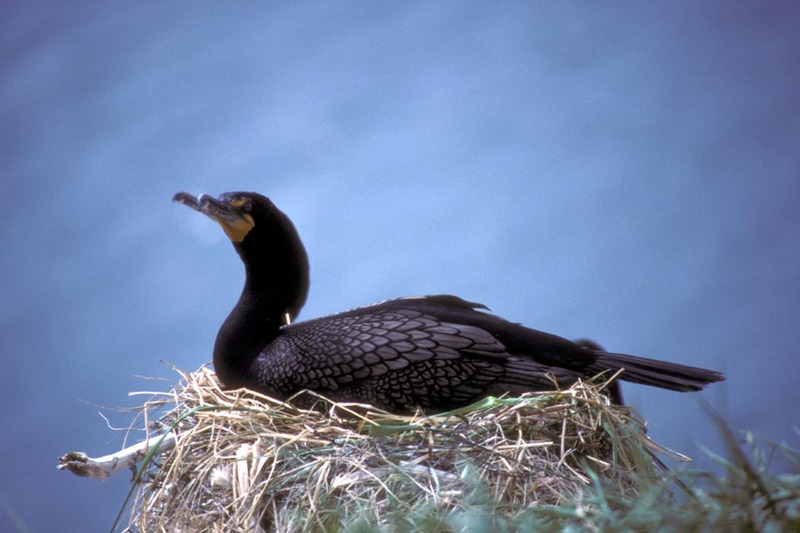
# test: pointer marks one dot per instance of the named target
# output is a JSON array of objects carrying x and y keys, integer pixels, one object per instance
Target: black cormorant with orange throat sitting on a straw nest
[{"x": 430, "y": 352}]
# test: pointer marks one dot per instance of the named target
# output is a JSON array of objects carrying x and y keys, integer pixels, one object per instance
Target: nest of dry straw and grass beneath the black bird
[{"x": 247, "y": 462}]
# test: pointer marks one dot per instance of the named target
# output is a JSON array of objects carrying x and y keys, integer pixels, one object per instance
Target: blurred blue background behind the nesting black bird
[{"x": 626, "y": 172}]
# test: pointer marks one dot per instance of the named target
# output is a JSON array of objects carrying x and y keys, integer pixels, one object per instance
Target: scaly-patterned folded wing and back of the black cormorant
[{"x": 435, "y": 352}]
